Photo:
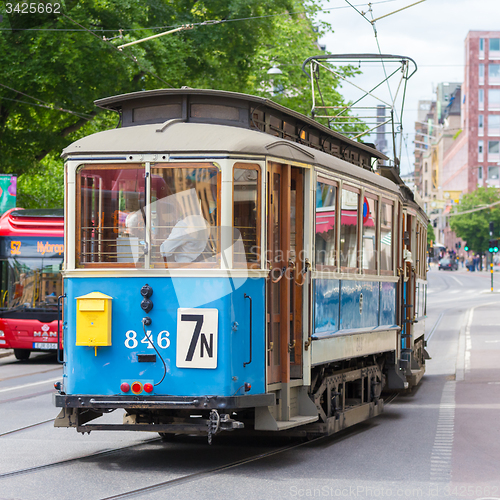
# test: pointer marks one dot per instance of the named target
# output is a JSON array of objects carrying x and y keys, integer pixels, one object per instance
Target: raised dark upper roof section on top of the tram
[{"x": 234, "y": 109}]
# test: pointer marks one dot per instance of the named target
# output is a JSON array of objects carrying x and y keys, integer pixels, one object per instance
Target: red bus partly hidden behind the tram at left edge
[{"x": 31, "y": 259}]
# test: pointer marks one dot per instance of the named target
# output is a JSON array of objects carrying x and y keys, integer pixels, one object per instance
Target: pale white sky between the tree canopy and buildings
[{"x": 432, "y": 33}]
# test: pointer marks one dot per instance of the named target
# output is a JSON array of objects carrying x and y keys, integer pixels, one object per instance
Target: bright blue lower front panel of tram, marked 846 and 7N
[{"x": 199, "y": 327}]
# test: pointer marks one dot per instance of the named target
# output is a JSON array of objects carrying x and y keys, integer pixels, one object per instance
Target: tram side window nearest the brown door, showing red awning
[{"x": 326, "y": 199}]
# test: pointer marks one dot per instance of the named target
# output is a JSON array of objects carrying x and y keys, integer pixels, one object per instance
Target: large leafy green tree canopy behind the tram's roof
[{"x": 55, "y": 65}]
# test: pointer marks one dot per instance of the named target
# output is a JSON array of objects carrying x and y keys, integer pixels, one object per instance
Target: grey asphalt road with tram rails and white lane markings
[{"x": 440, "y": 441}]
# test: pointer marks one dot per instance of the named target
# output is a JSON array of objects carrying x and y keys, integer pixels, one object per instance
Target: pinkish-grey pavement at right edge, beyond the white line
[{"x": 476, "y": 447}]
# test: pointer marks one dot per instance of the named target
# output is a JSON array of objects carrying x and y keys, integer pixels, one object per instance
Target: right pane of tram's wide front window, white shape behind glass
[{"x": 184, "y": 215}]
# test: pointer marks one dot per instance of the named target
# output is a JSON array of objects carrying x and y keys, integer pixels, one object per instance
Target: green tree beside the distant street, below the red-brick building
[{"x": 473, "y": 227}]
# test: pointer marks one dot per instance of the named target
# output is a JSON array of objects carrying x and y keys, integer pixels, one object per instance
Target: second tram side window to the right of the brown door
[{"x": 349, "y": 229}]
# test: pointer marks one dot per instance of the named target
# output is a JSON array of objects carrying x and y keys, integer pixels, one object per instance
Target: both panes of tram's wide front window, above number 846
[{"x": 117, "y": 228}]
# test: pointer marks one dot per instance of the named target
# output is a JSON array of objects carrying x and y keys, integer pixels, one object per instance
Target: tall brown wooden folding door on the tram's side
[{"x": 285, "y": 241}]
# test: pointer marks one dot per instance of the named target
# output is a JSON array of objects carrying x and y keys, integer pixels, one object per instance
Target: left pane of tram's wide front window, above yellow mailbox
[{"x": 111, "y": 221}]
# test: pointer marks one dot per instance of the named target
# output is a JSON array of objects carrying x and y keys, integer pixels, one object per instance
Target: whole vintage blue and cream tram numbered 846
[{"x": 231, "y": 263}]
